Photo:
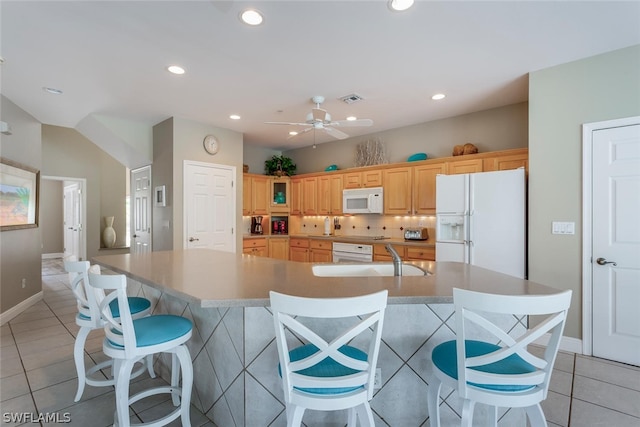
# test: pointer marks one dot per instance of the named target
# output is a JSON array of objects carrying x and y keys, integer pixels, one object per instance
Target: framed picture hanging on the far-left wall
[{"x": 19, "y": 195}]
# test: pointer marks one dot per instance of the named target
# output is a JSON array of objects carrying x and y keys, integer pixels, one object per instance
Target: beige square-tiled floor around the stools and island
[{"x": 38, "y": 375}]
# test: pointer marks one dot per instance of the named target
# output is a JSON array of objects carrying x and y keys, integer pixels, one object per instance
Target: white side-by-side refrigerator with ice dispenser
[{"x": 481, "y": 220}]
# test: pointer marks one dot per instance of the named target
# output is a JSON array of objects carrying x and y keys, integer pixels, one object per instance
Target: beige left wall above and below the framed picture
[{"x": 20, "y": 250}]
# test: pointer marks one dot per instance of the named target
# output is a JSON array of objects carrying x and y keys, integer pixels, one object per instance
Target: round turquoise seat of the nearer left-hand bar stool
[{"x": 158, "y": 329}]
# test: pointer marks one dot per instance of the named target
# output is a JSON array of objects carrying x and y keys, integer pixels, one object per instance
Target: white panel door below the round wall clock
[{"x": 209, "y": 206}]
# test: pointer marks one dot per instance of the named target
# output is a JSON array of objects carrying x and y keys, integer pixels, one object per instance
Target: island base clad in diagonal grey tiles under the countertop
[{"x": 235, "y": 365}]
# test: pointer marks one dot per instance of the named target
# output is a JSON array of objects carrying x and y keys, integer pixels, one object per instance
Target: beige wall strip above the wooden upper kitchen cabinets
[{"x": 490, "y": 130}]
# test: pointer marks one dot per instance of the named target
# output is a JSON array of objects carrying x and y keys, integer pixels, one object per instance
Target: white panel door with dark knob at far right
[{"x": 616, "y": 244}]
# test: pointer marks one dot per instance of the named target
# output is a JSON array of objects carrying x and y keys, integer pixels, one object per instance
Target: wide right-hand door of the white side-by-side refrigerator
[{"x": 497, "y": 221}]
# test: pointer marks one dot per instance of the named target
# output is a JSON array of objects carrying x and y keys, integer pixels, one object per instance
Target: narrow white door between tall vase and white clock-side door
[{"x": 141, "y": 210}]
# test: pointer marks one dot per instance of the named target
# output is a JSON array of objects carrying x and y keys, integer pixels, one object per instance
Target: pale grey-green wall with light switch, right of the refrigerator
[{"x": 561, "y": 99}]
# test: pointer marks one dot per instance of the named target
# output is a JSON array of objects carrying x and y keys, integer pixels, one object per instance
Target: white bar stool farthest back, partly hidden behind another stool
[{"x": 88, "y": 319}]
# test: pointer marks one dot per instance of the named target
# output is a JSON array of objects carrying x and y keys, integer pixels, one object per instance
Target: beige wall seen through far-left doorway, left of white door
[{"x": 51, "y": 216}]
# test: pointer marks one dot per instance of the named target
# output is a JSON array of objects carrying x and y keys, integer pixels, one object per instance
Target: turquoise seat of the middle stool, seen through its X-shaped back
[{"x": 326, "y": 368}]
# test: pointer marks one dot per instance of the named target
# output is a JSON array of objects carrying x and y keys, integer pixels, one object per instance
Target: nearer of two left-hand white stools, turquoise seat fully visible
[{"x": 130, "y": 340}]
